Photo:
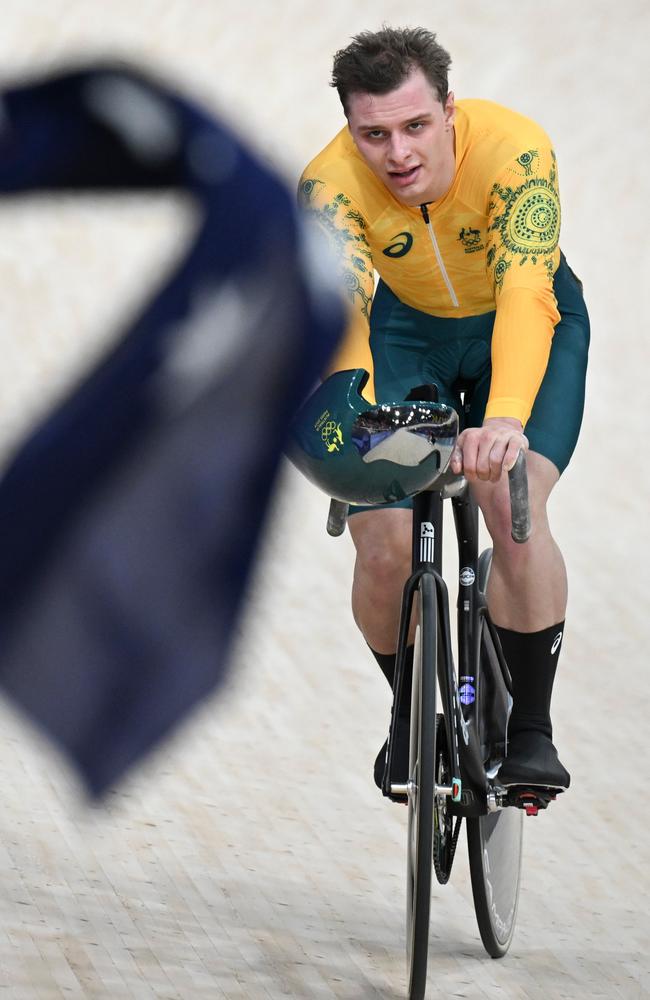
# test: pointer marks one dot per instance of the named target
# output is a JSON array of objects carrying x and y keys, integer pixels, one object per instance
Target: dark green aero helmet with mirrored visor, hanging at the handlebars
[{"x": 365, "y": 453}]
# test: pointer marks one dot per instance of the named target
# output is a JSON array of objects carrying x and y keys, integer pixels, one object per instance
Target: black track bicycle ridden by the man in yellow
[{"x": 455, "y": 753}]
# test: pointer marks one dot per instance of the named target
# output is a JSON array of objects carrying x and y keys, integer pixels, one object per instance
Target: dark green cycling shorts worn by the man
[{"x": 411, "y": 348}]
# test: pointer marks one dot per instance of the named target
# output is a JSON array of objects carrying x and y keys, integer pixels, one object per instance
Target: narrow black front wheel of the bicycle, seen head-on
[{"x": 421, "y": 787}]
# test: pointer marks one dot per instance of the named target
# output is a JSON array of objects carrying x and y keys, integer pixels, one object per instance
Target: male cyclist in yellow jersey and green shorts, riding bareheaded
[{"x": 456, "y": 206}]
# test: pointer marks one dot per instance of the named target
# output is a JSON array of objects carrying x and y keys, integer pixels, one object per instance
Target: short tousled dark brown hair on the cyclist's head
[{"x": 376, "y": 62}]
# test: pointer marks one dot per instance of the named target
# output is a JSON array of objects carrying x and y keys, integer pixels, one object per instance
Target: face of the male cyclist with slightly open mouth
[{"x": 406, "y": 138}]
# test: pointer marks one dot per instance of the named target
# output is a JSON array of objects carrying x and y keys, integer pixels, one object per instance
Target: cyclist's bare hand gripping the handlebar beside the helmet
[{"x": 486, "y": 452}]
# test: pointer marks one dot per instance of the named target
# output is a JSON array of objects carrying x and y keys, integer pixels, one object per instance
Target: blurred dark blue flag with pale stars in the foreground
[{"x": 130, "y": 517}]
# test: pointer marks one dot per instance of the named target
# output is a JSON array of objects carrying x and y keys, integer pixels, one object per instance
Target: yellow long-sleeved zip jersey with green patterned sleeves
[{"x": 491, "y": 243}]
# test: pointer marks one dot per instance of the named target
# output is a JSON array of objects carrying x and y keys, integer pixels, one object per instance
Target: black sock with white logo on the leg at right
[{"x": 532, "y": 660}]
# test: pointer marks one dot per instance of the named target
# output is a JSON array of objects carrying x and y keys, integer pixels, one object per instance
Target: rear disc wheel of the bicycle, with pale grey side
[{"x": 495, "y": 847}]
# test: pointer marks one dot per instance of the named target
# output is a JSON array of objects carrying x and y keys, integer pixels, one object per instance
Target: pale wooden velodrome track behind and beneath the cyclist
[{"x": 252, "y": 857}]
